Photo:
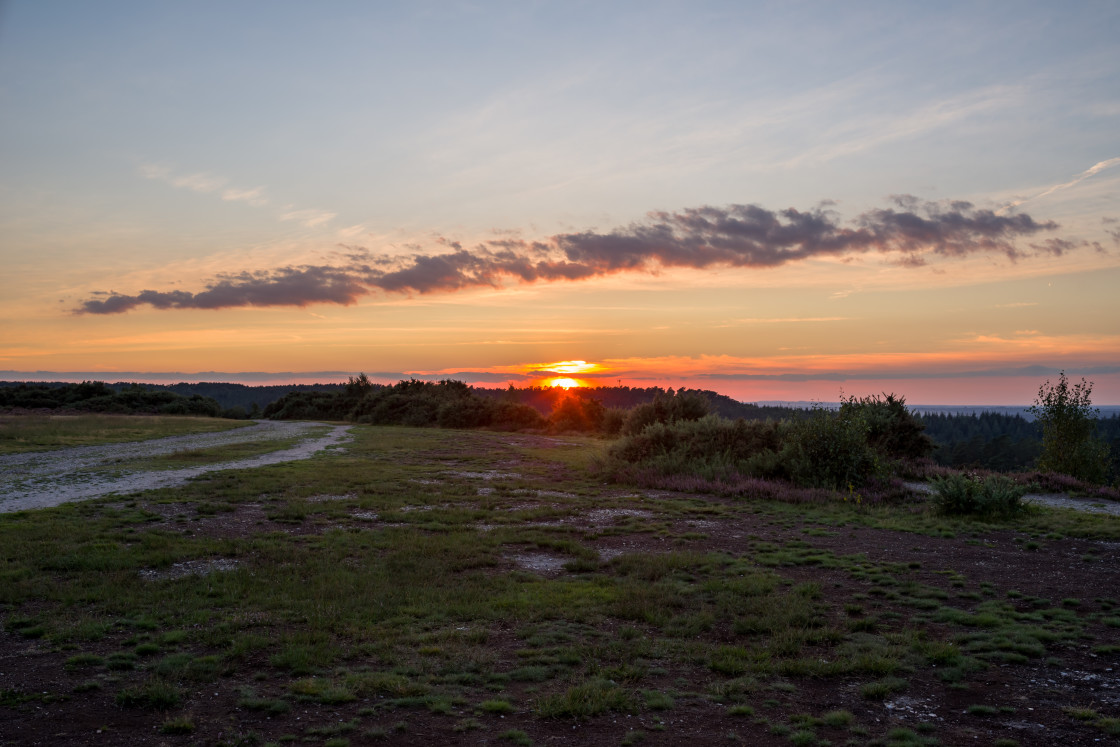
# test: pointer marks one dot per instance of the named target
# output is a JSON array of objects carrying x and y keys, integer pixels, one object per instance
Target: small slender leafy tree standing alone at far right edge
[{"x": 1068, "y": 419}]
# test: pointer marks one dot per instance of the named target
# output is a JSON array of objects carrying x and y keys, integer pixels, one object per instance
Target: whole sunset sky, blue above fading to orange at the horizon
[{"x": 788, "y": 201}]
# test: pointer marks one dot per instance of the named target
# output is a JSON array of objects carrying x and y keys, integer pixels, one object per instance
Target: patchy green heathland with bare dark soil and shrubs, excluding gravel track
[{"x": 695, "y": 580}]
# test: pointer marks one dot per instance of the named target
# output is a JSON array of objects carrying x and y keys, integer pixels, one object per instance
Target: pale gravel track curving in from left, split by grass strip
[{"x": 48, "y": 479}]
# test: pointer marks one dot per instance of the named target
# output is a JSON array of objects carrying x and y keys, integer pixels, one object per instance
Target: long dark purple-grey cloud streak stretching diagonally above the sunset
[{"x": 910, "y": 232}]
